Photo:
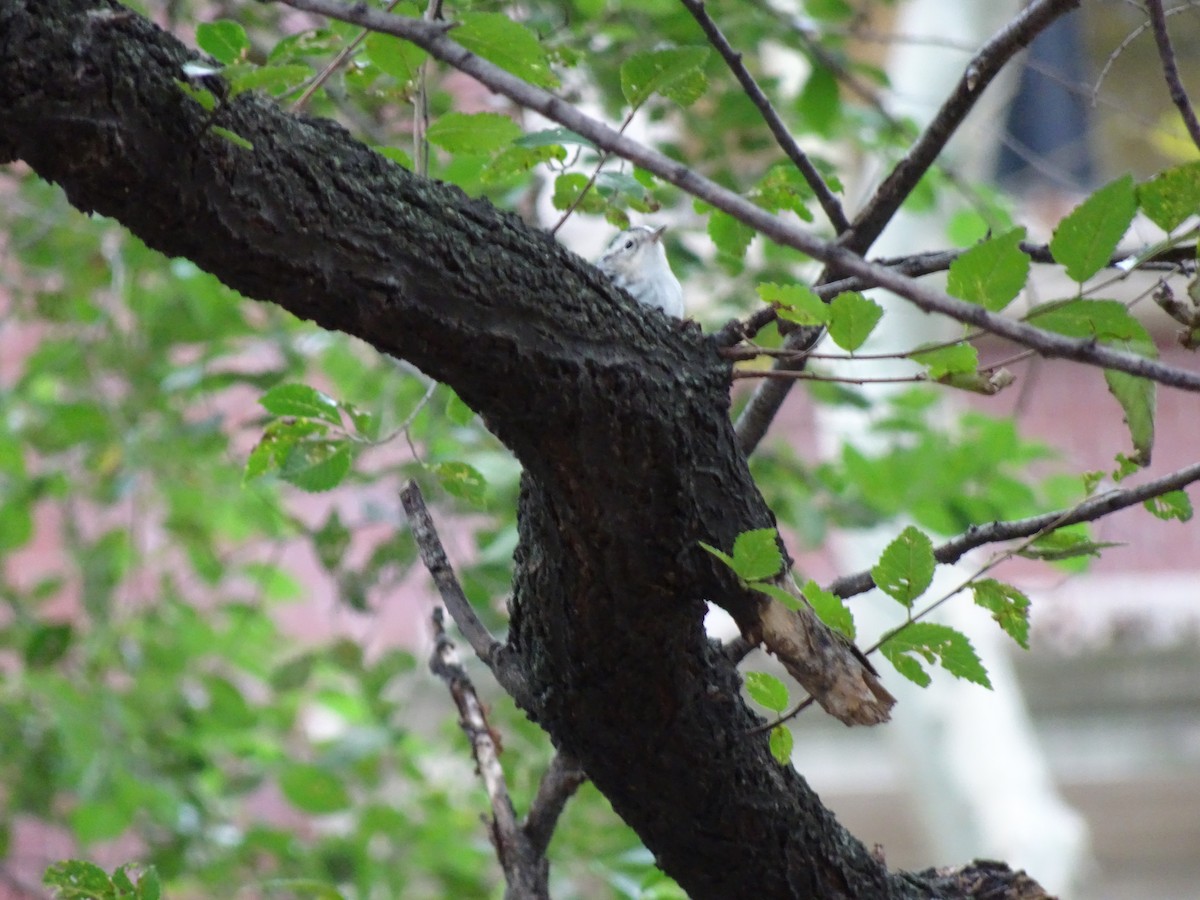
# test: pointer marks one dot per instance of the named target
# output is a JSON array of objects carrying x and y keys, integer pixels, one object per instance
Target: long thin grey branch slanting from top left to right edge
[{"x": 434, "y": 40}]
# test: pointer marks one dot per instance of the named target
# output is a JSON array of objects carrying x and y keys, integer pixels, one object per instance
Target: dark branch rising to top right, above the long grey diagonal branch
[{"x": 979, "y": 75}]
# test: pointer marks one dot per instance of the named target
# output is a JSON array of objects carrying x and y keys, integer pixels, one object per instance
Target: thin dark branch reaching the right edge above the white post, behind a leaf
[{"x": 1087, "y": 512}]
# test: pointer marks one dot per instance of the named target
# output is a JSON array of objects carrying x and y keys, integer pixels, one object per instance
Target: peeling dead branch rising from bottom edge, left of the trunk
[{"x": 526, "y": 873}]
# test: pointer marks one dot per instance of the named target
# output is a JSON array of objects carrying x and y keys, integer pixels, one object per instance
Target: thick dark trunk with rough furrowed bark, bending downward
[{"x": 620, "y": 419}]
